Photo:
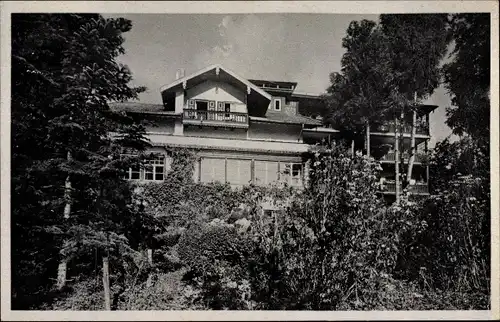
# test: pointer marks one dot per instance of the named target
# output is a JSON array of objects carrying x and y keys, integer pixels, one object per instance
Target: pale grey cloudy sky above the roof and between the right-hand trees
[{"x": 304, "y": 48}]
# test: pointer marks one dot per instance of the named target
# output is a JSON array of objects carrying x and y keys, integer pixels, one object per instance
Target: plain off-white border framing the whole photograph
[{"x": 320, "y": 7}]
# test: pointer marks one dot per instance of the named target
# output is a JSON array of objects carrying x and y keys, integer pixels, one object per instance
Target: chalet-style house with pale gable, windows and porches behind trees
[{"x": 245, "y": 131}]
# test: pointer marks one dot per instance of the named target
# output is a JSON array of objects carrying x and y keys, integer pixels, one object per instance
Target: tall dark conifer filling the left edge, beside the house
[{"x": 68, "y": 196}]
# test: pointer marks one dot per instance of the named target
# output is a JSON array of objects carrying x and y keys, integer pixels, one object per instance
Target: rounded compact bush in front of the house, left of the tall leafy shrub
[{"x": 217, "y": 259}]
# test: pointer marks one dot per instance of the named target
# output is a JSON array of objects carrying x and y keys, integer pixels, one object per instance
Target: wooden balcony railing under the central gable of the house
[{"x": 215, "y": 118}]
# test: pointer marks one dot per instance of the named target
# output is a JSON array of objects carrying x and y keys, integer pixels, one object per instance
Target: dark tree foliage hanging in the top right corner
[{"x": 467, "y": 76}]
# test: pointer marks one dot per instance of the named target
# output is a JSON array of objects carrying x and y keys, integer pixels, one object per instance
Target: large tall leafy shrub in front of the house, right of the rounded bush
[{"x": 332, "y": 242}]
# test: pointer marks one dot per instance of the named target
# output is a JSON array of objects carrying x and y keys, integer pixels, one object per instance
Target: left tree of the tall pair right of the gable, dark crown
[{"x": 355, "y": 95}]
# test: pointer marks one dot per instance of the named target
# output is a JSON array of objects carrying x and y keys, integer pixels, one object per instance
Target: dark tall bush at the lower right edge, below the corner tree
[{"x": 452, "y": 250}]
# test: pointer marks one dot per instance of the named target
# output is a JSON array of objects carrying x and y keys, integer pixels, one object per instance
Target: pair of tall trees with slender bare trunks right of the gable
[{"x": 386, "y": 70}]
